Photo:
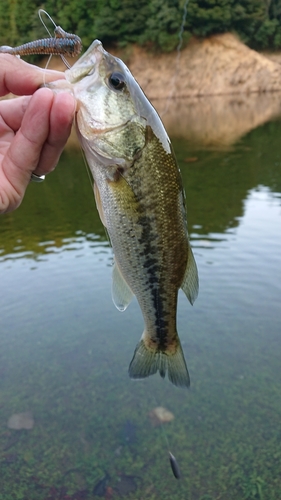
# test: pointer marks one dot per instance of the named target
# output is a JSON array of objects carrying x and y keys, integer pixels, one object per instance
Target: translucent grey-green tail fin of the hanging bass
[{"x": 148, "y": 360}]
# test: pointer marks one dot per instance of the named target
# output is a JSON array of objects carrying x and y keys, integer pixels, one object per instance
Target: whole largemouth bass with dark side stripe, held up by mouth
[{"x": 140, "y": 199}]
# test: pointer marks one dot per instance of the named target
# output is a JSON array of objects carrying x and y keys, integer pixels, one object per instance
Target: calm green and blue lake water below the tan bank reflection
[{"x": 65, "y": 349}]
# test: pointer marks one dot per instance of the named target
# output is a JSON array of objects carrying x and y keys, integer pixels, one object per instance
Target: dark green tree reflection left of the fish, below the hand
[{"x": 54, "y": 210}]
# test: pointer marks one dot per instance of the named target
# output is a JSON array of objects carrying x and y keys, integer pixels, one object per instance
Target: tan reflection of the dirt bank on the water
[{"x": 218, "y": 121}]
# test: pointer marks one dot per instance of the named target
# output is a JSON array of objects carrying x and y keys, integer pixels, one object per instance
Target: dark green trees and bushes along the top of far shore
[{"x": 151, "y": 23}]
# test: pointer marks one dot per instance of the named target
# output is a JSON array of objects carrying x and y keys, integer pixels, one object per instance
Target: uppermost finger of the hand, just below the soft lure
[{"x": 22, "y": 78}]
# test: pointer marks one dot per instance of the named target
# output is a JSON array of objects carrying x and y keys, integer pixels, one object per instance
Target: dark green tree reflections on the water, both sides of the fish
[{"x": 216, "y": 183}]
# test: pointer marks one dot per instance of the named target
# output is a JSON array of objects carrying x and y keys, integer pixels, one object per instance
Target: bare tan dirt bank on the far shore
[{"x": 217, "y": 65}]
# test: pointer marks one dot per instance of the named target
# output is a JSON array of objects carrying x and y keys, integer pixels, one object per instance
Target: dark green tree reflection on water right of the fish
[{"x": 218, "y": 182}]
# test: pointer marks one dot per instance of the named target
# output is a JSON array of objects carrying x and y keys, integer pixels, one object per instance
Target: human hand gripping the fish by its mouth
[{"x": 33, "y": 128}]
